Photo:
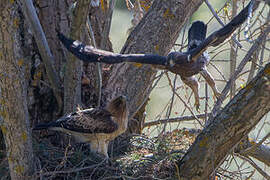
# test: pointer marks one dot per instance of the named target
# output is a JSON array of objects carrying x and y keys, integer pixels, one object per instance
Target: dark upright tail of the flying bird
[{"x": 196, "y": 34}]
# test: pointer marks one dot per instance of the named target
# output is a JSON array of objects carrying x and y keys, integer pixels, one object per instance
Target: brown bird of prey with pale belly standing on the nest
[{"x": 96, "y": 126}]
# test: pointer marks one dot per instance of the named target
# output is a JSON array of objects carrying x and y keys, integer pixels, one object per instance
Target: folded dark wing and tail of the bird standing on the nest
[{"x": 84, "y": 121}]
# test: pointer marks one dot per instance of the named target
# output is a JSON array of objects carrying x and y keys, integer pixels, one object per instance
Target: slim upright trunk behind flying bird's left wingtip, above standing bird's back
[{"x": 73, "y": 67}]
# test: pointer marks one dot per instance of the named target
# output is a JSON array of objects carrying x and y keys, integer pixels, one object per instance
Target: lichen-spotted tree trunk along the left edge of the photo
[{"x": 14, "y": 111}]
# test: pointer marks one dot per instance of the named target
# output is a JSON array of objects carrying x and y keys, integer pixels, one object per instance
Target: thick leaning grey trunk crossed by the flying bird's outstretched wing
[{"x": 156, "y": 33}]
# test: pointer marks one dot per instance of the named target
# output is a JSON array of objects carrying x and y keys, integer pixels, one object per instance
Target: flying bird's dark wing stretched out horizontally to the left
[{"x": 91, "y": 54}]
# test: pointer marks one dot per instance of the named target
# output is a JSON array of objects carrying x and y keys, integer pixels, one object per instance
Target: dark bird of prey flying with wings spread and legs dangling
[{"x": 186, "y": 64}]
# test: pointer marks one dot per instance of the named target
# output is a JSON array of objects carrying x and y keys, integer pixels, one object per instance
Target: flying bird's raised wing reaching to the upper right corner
[{"x": 222, "y": 34}]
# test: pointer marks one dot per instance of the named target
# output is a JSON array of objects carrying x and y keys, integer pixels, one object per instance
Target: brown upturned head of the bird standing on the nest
[{"x": 118, "y": 107}]
